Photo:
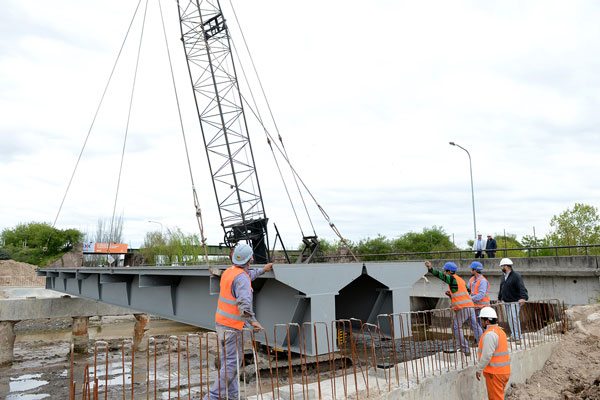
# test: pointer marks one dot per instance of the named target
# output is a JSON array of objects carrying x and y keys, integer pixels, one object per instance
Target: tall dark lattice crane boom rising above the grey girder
[{"x": 219, "y": 103}]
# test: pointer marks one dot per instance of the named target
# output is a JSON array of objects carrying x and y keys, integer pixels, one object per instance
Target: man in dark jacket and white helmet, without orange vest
[{"x": 513, "y": 292}]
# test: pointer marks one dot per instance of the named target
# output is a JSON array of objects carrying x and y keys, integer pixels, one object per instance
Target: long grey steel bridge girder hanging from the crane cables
[{"x": 296, "y": 294}]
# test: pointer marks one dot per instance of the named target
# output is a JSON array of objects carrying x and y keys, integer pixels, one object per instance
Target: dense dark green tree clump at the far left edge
[{"x": 38, "y": 242}]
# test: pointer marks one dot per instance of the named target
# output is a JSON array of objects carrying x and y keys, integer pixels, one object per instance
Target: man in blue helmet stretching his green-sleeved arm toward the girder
[{"x": 462, "y": 305}]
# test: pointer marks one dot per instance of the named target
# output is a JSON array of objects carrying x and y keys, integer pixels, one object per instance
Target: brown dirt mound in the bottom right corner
[{"x": 573, "y": 369}]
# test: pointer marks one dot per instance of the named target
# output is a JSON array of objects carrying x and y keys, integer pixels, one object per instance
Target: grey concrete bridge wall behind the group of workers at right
[{"x": 574, "y": 279}]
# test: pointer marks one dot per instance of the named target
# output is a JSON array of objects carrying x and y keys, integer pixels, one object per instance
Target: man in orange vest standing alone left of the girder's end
[{"x": 234, "y": 312}]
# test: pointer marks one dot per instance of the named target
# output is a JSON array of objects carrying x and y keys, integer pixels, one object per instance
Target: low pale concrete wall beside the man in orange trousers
[{"x": 462, "y": 385}]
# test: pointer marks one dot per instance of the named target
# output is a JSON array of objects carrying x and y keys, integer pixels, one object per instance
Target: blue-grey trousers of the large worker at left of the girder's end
[{"x": 230, "y": 355}]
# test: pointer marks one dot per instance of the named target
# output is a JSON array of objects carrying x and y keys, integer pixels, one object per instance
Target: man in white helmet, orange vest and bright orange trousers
[{"x": 494, "y": 359}]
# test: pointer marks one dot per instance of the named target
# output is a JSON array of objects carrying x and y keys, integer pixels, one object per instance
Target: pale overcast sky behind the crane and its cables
[{"x": 366, "y": 96}]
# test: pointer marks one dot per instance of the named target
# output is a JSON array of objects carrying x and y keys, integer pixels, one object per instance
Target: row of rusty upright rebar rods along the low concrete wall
[{"x": 361, "y": 361}]
